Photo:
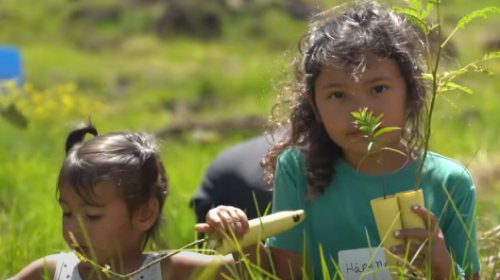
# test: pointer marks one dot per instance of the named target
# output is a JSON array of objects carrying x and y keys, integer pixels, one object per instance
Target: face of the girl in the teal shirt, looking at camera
[{"x": 381, "y": 88}]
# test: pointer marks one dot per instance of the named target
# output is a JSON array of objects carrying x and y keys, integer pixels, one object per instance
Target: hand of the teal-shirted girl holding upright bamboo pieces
[{"x": 437, "y": 254}]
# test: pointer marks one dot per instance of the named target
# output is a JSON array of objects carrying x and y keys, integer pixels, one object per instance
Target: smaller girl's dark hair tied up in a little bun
[{"x": 126, "y": 159}]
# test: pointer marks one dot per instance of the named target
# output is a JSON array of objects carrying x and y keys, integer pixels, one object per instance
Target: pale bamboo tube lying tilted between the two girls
[{"x": 262, "y": 228}]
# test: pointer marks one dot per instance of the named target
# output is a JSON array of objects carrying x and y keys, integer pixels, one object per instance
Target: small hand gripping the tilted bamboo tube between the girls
[{"x": 224, "y": 219}]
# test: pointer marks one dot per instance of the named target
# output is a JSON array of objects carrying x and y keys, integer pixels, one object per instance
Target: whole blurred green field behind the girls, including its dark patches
[{"x": 199, "y": 74}]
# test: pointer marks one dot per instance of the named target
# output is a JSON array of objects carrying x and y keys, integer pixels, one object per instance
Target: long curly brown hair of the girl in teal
[{"x": 349, "y": 34}]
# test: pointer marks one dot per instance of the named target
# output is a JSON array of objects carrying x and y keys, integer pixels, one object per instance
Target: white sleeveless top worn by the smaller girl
[{"x": 67, "y": 268}]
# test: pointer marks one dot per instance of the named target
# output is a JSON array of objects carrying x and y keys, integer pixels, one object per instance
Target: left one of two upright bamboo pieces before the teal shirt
[{"x": 387, "y": 217}]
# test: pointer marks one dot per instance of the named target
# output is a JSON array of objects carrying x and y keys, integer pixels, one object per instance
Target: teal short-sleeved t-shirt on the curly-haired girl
[{"x": 342, "y": 219}]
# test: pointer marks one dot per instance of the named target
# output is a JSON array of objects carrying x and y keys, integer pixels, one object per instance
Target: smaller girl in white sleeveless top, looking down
[{"x": 111, "y": 189}]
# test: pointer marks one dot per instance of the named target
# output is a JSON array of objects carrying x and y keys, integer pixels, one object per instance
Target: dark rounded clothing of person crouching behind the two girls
[{"x": 233, "y": 178}]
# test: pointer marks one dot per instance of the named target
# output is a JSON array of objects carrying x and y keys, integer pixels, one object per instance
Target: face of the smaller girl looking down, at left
[{"x": 107, "y": 222}]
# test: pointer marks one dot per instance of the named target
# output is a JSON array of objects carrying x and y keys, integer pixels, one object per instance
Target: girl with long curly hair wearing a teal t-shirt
[{"x": 363, "y": 57}]
